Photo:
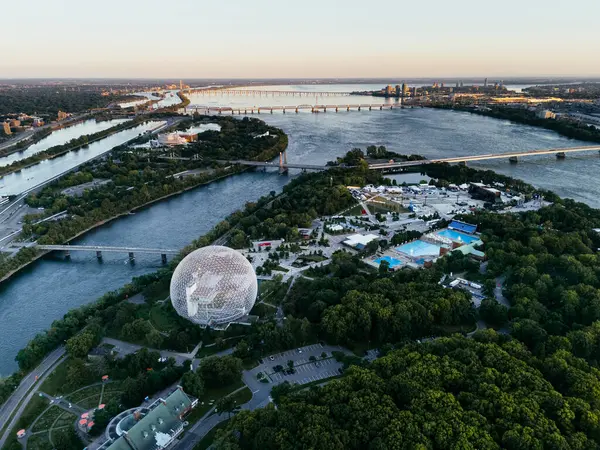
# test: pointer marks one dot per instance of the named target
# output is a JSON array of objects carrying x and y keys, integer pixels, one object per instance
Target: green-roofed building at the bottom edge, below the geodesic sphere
[{"x": 150, "y": 428}]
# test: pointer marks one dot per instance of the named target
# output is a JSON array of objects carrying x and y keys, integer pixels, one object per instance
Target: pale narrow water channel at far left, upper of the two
[{"x": 60, "y": 137}]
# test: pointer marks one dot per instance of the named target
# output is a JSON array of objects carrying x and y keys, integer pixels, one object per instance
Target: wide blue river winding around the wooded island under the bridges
[{"x": 33, "y": 299}]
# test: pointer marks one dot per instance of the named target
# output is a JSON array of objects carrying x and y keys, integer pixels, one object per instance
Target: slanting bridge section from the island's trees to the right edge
[{"x": 511, "y": 156}]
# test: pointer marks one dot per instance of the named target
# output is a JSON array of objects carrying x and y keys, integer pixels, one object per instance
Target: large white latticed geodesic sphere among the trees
[{"x": 213, "y": 286}]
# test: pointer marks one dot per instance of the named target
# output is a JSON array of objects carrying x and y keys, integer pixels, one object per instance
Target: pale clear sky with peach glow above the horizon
[{"x": 299, "y": 39}]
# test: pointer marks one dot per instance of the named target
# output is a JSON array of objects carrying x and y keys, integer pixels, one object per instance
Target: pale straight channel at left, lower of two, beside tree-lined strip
[{"x": 17, "y": 182}]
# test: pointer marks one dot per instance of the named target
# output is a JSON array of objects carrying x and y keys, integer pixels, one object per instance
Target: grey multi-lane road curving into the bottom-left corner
[{"x": 23, "y": 395}]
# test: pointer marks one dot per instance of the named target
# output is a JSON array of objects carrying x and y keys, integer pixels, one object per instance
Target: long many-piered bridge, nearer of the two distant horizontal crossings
[{"x": 318, "y": 108}]
